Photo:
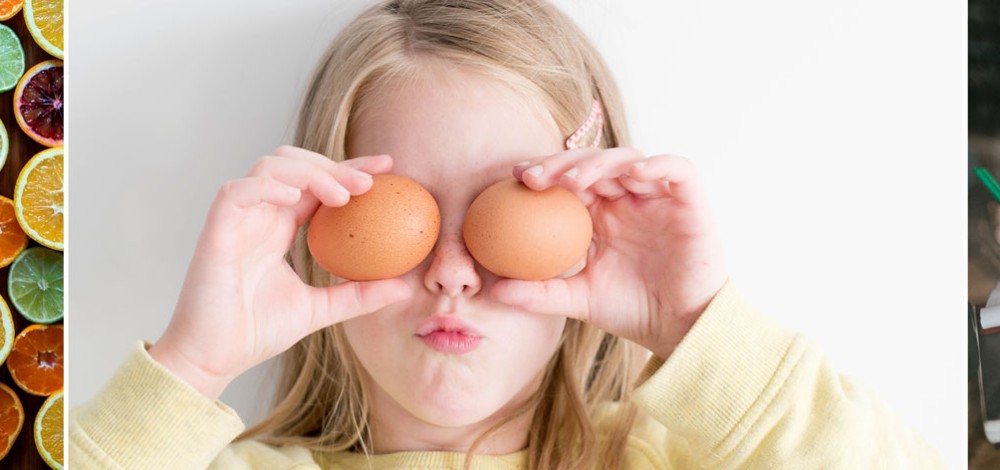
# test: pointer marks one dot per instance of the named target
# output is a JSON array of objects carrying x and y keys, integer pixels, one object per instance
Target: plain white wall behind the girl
[{"x": 831, "y": 136}]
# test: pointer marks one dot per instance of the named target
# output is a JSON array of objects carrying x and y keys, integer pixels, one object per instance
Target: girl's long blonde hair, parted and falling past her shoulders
[{"x": 321, "y": 401}]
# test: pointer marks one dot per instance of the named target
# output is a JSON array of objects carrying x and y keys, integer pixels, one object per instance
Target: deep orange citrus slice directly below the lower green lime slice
[{"x": 36, "y": 360}]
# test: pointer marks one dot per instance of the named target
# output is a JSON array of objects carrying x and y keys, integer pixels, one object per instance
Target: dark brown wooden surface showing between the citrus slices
[{"x": 23, "y": 455}]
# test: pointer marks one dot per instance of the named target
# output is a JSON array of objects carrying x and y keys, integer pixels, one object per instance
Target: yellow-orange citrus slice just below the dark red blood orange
[{"x": 39, "y": 199}]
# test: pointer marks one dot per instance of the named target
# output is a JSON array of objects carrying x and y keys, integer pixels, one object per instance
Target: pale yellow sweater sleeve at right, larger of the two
[{"x": 744, "y": 393}]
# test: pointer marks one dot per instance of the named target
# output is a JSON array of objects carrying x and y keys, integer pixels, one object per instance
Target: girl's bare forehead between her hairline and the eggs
[{"x": 446, "y": 121}]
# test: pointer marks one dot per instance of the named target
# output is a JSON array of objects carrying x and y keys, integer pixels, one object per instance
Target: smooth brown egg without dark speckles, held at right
[{"x": 516, "y": 232}]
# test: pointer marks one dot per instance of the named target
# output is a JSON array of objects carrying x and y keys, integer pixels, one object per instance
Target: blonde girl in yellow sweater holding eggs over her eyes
[{"x": 643, "y": 356}]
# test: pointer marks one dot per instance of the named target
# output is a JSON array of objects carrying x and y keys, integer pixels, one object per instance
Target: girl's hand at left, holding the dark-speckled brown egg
[{"x": 241, "y": 303}]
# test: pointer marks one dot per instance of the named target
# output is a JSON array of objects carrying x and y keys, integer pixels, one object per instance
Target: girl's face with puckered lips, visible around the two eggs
[{"x": 454, "y": 132}]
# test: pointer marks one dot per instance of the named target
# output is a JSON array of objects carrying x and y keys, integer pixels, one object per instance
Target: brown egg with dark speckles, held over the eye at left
[{"x": 380, "y": 234}]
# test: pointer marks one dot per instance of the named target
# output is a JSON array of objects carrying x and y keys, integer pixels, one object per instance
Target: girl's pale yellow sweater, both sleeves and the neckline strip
[{"x": 738, "y": 392}]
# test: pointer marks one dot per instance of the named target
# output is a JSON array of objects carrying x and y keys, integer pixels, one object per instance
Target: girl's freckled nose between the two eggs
[{"x": 452, "y": 271}]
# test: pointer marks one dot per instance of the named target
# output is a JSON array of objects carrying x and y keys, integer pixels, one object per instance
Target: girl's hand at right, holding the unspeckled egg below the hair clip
[{"x": 655, "y": 262}]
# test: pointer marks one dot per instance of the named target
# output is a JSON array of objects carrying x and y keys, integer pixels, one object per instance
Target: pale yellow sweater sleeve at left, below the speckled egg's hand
[{"x": 145, "y": 417}]
